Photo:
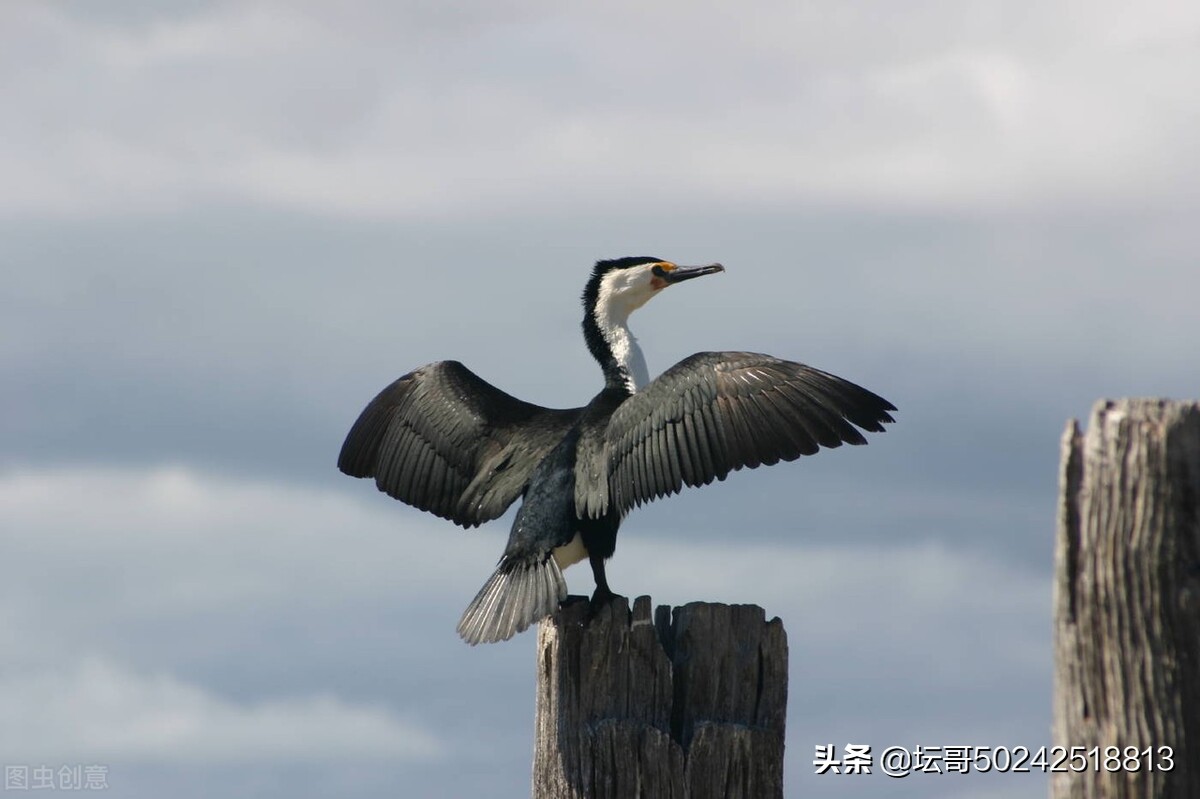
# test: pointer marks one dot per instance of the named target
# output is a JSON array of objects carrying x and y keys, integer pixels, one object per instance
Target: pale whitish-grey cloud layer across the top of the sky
[{"x": 405, "y": 111}]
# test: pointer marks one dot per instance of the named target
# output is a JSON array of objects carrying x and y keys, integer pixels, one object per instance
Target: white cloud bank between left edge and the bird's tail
[{"x": 153, "y": 543}]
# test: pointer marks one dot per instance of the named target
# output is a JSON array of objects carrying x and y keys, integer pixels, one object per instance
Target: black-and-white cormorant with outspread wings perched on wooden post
[{"x": 445, "y": 441}]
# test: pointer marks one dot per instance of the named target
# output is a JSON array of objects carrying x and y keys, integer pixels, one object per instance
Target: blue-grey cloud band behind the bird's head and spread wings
[{"x": 250, "y": 343}]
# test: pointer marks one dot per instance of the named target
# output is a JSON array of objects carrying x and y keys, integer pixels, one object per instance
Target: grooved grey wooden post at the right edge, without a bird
[{"x": 1127, "y": 597}]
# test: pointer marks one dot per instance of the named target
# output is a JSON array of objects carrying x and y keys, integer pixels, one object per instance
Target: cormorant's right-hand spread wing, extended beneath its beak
[{"x": 715, "y": 413}]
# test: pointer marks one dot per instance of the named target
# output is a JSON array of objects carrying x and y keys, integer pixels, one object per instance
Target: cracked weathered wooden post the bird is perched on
[{"x": 685, "y": 705}]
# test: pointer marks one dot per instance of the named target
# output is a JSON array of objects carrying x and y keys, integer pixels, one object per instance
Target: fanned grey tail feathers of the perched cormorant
[{"x": 518, "y": 594}]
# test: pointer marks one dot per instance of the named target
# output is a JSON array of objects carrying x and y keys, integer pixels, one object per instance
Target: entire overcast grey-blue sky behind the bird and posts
[{"x": 226, "y": 226}]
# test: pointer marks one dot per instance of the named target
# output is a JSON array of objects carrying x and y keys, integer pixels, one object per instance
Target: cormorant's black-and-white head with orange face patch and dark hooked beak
[{"x": 621, "y": 286}]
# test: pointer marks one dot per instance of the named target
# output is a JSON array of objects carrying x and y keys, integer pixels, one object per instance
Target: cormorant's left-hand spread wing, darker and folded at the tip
[{"x": 446, "y": 441}]
